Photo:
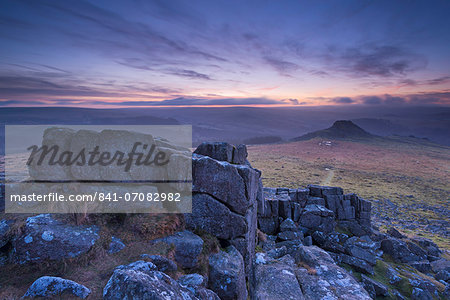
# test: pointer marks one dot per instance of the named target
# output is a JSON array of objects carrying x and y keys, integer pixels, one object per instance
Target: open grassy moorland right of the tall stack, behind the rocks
[{"x": 405, "y": 171}]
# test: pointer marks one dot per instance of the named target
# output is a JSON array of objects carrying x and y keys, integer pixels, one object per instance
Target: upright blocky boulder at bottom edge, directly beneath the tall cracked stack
[{"x": 227, "y": 274}]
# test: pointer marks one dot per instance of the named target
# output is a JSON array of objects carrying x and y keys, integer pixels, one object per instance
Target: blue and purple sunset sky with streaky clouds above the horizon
[{"x": 224, "y": 53}]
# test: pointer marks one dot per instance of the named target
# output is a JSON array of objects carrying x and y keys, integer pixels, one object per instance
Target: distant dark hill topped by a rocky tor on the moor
[{"x": 342, "y": 129}]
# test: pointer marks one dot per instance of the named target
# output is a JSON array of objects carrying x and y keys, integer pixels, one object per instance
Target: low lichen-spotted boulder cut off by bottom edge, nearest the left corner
[{"x": 49, "y": 287}]
